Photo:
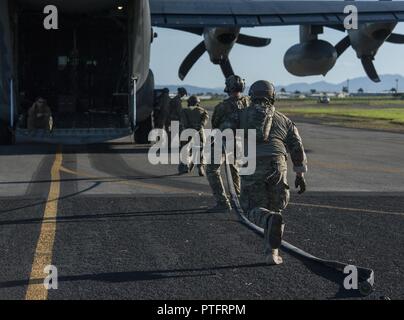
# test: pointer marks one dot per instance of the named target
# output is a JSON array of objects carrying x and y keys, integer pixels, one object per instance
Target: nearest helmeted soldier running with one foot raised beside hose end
[{"x": 266, "y": 193}]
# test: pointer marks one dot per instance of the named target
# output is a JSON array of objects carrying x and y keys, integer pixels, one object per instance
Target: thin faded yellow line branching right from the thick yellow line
[{"x": 152, "y": 186}]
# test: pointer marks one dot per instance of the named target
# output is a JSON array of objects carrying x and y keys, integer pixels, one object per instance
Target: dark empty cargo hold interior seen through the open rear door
[{"x": 81, "y": 69}]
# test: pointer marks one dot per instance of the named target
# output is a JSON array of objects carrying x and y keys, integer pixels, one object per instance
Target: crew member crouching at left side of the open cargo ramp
[{"x": 40, "y": 116}]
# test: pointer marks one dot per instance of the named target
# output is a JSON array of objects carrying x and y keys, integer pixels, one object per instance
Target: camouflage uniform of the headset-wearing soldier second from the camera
[{"x": 225, "y": 116}]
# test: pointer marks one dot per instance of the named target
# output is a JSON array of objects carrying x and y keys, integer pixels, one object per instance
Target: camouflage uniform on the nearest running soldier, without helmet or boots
[{"x": 268, "y": 186}]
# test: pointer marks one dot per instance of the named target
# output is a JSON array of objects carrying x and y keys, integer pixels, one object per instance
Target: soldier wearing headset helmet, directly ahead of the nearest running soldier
[{"x": 226, "y": 116}]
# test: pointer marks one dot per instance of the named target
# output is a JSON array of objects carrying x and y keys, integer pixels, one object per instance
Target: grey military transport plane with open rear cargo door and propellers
[{"x": 99, "y": 57}]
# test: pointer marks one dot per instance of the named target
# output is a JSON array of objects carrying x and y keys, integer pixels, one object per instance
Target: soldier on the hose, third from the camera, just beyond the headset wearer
[{"x": 195, "y": 117}]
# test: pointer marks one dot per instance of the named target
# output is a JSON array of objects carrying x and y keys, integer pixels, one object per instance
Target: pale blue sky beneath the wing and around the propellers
[{"x": 171, "y": 47}]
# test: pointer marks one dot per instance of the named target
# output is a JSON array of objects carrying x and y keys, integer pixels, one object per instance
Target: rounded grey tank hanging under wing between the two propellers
[{"x": 315, "y": 57}]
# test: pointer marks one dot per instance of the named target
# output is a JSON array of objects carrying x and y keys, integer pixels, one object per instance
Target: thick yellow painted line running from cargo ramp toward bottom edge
[{"x": 44, "y": 249}]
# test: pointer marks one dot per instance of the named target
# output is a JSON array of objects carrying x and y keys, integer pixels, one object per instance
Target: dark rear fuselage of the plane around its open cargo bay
[{"x": 90, "y": 62}]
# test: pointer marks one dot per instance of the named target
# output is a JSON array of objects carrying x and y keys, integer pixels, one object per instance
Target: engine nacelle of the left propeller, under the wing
[{"x": 219, "y": 42}]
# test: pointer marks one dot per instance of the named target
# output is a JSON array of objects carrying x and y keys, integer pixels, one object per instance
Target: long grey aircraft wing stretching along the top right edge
[{"x": 252, "y": 13}]
